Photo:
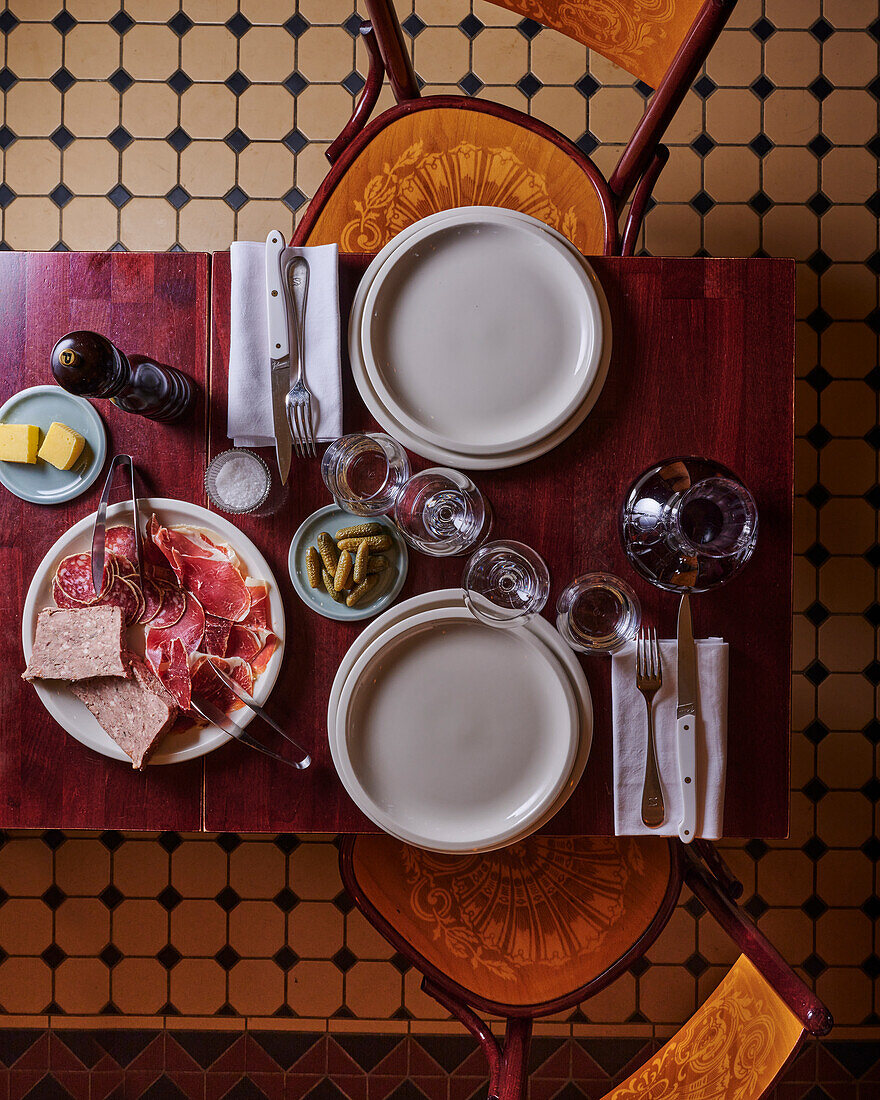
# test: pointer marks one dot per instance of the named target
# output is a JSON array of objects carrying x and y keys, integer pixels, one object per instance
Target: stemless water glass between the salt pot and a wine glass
[{"x": 365, "y": 472}]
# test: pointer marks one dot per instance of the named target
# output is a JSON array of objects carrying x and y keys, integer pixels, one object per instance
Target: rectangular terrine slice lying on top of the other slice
[{"x": 79, "y": 644}]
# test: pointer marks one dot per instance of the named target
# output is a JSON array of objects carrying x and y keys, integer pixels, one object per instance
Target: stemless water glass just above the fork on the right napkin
[{"x": 599, "y": 613}]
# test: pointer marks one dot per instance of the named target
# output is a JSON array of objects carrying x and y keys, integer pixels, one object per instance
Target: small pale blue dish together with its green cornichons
[{"x": 346, "y": 567}]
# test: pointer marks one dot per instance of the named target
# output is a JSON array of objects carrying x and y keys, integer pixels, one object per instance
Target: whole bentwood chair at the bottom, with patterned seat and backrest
[{"x": 543, "y": 926}]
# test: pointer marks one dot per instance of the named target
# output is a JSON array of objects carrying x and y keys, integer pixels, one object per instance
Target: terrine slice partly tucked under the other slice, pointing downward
[{"x": 137, "y": 713}]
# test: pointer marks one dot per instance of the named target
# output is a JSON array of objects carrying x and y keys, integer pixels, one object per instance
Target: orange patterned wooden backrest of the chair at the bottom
[{"x": 734, "y": 1047}]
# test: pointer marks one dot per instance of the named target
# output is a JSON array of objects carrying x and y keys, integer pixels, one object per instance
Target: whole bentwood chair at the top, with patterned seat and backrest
[{"x": 438, "y": 152}]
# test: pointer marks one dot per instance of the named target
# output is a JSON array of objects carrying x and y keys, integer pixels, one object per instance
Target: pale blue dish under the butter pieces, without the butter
[{"x": 42, "y": 483}]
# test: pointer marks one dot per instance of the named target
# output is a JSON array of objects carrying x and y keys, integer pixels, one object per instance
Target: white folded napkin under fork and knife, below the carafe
[{"x": 631, "y": 740}]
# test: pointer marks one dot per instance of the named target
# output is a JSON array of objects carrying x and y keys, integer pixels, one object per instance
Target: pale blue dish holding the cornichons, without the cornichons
[{"x": 332, "y": 519}]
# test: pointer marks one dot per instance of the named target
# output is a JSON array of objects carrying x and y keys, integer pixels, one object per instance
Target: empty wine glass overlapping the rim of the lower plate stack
[{"x": 505, "y": 584}]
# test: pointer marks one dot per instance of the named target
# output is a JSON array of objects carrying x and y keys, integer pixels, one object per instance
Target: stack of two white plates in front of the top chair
[{"x": 480, "y": 338}]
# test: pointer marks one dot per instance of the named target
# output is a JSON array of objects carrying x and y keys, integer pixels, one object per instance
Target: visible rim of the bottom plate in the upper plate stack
[{"x": 447, "y": 456}]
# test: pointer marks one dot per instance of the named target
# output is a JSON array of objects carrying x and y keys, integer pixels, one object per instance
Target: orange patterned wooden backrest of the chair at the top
[{"x": 642, "y": 37}]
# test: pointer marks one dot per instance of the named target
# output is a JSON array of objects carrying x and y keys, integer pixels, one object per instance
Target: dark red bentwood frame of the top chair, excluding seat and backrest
[{"x": 635, "y": 175}]
